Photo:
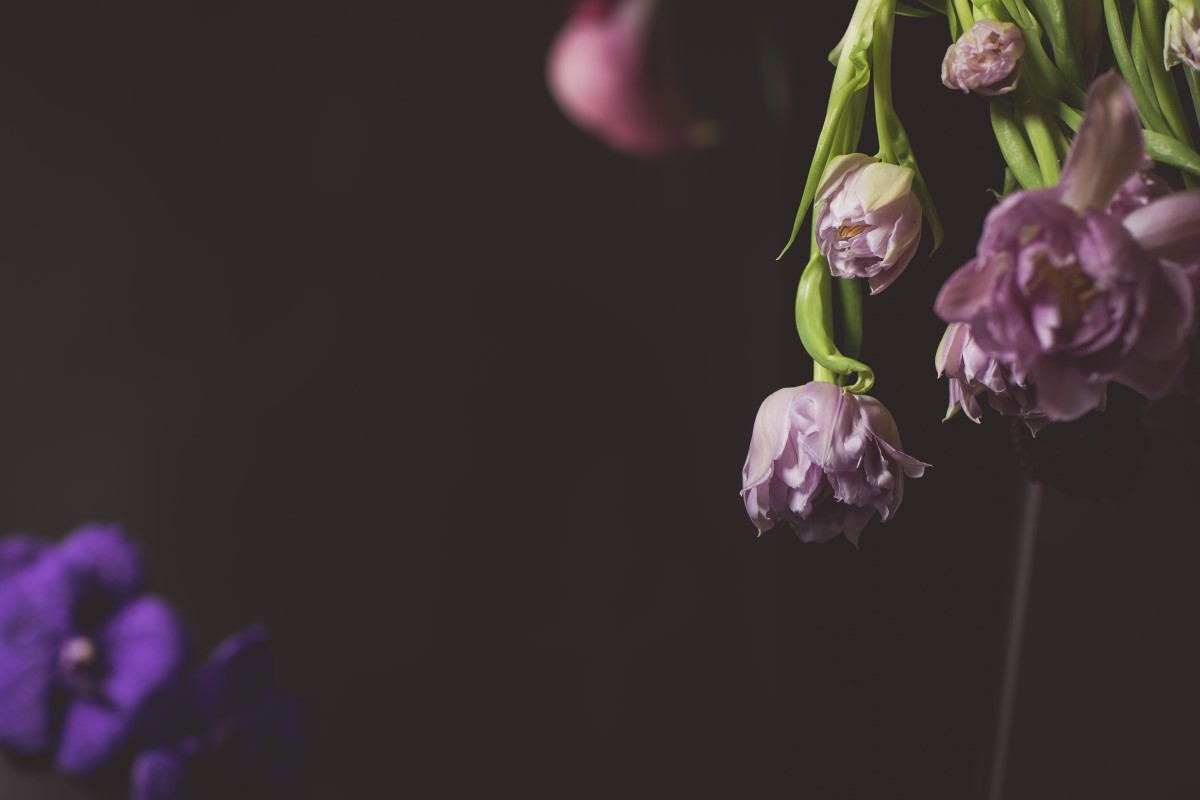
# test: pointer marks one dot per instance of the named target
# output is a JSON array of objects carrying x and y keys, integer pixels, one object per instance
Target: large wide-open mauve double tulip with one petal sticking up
[{"x": 1072, "y": 297}]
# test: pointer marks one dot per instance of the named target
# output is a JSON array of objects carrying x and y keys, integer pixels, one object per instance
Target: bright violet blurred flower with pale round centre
[{"x": 82, "y": 649}]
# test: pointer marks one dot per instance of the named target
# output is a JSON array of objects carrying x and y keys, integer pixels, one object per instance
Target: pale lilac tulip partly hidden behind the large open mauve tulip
[{"x": 973, "y": 372}]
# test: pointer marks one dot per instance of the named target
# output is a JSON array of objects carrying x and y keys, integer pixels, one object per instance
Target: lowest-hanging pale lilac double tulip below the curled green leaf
[{"x": 825, "y": 462}]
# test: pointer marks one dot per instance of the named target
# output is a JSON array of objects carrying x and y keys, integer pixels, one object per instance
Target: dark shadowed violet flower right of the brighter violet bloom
[{"x": 233, "y": 732}]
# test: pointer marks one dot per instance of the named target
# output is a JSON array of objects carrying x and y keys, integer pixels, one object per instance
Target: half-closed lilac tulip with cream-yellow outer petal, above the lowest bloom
[{"x": 869, "y": 221}]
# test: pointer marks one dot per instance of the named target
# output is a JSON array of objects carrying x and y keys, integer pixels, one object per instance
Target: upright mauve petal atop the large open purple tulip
[{"x": 1108, "y": 149}]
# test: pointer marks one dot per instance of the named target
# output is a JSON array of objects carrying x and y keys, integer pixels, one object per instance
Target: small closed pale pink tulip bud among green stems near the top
[{"x": 986, "y": 59}]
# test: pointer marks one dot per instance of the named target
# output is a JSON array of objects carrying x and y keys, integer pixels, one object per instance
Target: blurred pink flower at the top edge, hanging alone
[{"x": 601, "y": 74}]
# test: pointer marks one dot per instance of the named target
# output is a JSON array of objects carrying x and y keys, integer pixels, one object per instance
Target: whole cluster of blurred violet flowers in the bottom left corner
[{"x": 93, "y": 670}]
